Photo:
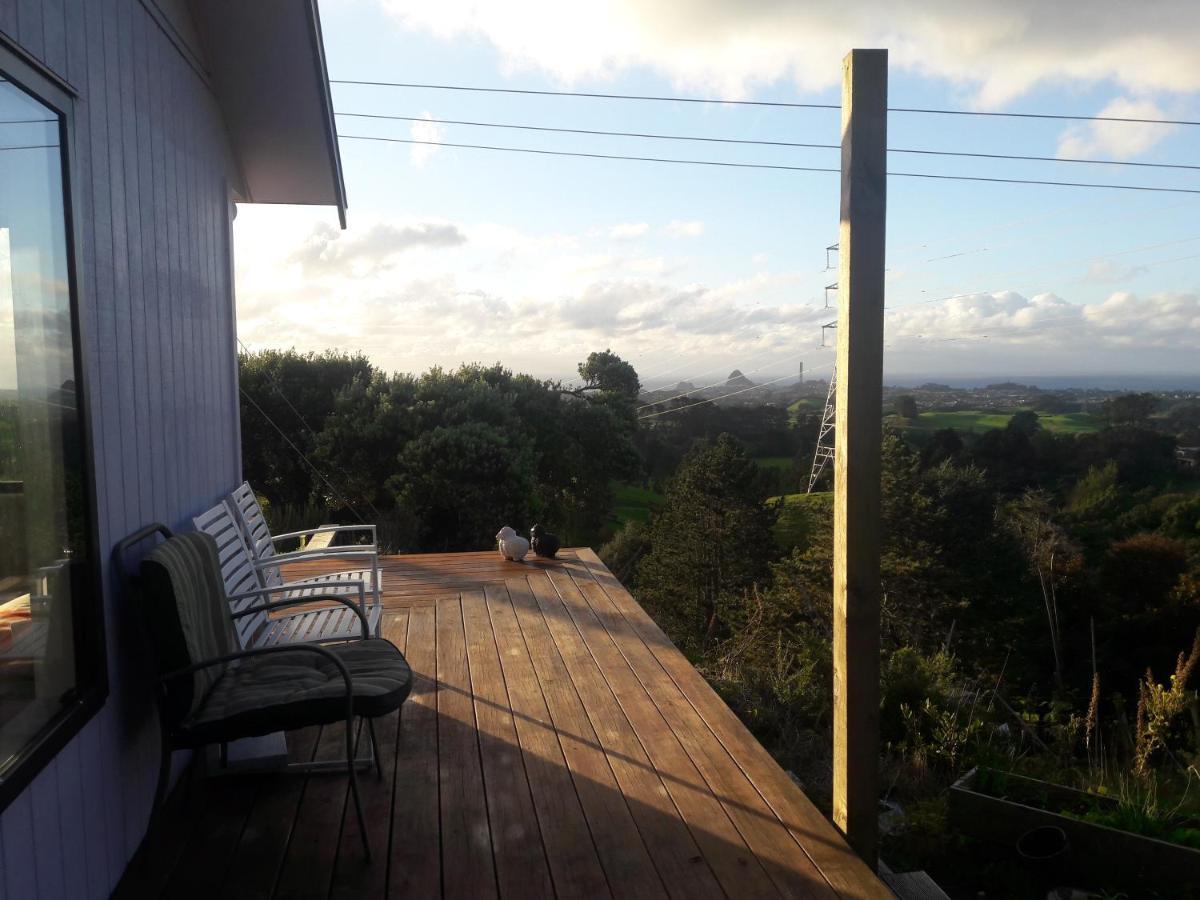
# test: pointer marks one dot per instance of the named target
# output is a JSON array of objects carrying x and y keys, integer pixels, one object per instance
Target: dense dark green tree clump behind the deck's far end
[{"x": 445, "y": 459}]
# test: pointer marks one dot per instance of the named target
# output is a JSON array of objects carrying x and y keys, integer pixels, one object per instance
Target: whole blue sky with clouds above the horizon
[{"x": 689, "y": 272}]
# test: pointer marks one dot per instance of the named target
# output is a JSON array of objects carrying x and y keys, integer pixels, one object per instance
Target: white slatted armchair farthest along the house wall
[{"x": 262, "y": 543}]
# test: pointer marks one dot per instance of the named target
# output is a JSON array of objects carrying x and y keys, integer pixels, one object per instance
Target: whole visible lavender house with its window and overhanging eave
[{"x": 128, "y": 130}]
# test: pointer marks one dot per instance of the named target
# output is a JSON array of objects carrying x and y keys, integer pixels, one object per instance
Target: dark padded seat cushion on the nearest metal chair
[{"x": 295, "y": 688}]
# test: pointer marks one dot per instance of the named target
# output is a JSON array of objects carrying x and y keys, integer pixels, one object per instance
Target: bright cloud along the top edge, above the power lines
[{"x": 997, "y": 51}]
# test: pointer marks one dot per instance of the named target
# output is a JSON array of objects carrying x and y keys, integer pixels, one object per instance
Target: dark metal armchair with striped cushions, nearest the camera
[{"x": 212, "y": 692}]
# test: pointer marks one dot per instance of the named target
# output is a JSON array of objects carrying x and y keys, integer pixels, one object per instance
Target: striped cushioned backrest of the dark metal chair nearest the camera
[{"x": 188, "y": 619}]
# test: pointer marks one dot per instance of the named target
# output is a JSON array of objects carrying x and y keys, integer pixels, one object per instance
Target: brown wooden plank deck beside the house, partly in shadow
[{"x": 556, "y": 745}]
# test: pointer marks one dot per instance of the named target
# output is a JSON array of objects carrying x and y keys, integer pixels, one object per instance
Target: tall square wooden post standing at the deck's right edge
[{"x": 859, "y": 441}]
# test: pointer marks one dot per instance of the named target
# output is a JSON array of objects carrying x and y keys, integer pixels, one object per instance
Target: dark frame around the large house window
[{"x": 87, "y": 597}]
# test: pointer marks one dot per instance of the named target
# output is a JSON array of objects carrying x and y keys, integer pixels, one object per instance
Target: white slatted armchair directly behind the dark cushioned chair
[{"x": 247, "y": 585}]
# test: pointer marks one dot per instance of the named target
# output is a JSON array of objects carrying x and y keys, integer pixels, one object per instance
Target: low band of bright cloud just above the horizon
[{"x": 541, "y": 302}]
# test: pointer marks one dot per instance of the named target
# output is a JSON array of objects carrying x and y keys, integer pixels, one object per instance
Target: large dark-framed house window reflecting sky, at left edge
[{"x": 51, "y": 673}]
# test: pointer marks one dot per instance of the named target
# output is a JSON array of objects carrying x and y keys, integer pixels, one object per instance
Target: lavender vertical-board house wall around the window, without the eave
[{"x": 153, "y": 175}]
